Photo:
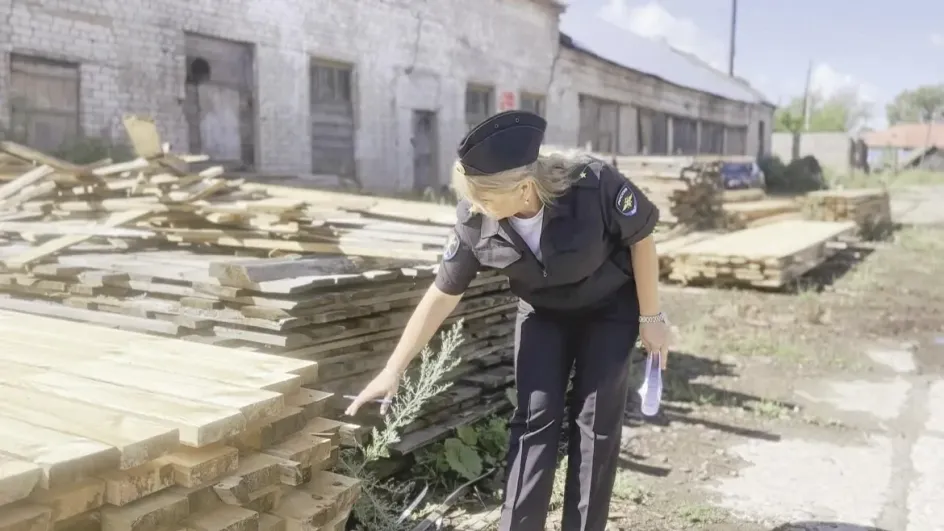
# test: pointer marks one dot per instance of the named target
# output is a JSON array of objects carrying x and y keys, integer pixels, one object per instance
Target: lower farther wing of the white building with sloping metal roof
[{"x": 623, "y": 94}]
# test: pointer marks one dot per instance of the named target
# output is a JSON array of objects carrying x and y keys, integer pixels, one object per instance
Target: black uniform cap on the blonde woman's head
[{"x": 505, "y": 141}]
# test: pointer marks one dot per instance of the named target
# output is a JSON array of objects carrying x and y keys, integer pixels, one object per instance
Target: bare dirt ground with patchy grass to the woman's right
[{"x": 735, "y": 375}]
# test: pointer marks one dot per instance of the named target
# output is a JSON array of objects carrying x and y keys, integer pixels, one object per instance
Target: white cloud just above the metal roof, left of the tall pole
[{"x": 653, "y": 21}]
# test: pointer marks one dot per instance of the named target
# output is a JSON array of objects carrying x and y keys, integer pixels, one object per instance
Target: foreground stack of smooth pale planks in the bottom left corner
[{"x": 108, "y": 430}]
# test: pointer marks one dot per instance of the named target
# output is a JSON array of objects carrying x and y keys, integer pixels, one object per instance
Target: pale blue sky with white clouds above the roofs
[{"x": 876, "y": 47}]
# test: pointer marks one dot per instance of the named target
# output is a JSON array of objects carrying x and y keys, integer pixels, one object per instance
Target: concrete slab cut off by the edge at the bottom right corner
[{"x": 926, "y": 495}]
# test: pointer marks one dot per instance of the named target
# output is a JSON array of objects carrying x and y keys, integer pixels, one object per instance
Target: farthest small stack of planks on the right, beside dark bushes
[{"x": 869, "y": 208}]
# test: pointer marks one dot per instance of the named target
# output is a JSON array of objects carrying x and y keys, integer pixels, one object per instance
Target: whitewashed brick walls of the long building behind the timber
[{"x": 380, "y": 89}]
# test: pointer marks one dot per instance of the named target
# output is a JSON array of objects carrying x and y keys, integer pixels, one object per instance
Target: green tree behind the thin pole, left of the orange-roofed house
[{"x": 842, "y": 111}]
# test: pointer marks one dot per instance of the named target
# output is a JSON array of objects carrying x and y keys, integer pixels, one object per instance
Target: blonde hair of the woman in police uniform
[{"x": 553, "y": 173}]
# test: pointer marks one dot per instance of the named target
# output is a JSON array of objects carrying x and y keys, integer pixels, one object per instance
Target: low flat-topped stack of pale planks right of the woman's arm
[{"x": 769, "y": 256}]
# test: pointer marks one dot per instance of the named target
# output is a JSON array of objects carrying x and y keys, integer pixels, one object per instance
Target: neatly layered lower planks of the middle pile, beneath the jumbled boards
[{"x": 316, "y": 308}]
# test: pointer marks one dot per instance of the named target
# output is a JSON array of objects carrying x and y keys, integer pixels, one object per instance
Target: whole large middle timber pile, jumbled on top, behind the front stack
[{"x": 149, "y": 246}]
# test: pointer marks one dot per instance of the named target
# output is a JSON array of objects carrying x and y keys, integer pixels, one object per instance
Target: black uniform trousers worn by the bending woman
[{"x": 597, "y": 344}]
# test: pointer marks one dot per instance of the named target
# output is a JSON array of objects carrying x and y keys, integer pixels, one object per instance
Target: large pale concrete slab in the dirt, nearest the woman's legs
[{"x": 796, "y": 480}]
